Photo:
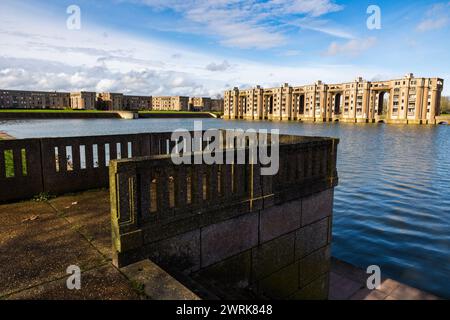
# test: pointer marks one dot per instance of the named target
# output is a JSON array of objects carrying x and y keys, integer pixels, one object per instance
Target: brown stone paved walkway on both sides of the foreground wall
[{"x": 39, "y": 240}]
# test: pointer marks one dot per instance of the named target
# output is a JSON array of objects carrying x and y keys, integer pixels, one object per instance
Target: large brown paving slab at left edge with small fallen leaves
[{"x": 40, "y": 250}]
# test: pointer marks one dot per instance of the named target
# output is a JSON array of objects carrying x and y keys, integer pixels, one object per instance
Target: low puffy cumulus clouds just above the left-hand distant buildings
[{"x": 99, "y": 79}]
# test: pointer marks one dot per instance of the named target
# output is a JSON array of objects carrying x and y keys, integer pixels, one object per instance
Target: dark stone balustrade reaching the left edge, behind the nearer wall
[{"x": 61, "y": 165}]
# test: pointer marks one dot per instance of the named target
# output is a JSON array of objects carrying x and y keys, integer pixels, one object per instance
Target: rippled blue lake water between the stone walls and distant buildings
[{"x": 392, "y": 206}]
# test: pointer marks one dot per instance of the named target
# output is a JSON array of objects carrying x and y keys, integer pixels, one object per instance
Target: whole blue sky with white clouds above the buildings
[{"x": 201, "y": 48}]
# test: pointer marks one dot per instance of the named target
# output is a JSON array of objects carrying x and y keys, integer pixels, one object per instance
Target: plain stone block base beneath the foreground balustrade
[{"x": 280, "y": 256}]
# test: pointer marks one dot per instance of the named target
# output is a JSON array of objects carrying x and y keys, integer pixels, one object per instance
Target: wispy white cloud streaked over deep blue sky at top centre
[{"x": 244, "y": 24}]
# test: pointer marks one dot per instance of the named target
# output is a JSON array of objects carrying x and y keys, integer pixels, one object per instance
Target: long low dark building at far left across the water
[{"x": 17, "y": 99}]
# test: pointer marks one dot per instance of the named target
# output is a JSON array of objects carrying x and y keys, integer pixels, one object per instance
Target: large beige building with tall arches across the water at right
[{"x": 406, "y": 100}]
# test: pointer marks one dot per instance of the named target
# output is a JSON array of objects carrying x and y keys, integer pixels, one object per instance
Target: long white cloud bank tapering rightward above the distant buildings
[{"x": 58, "y": 59}]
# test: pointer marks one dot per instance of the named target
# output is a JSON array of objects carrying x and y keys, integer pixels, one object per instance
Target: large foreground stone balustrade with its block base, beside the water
[{"x": 227, "y": 226}]
